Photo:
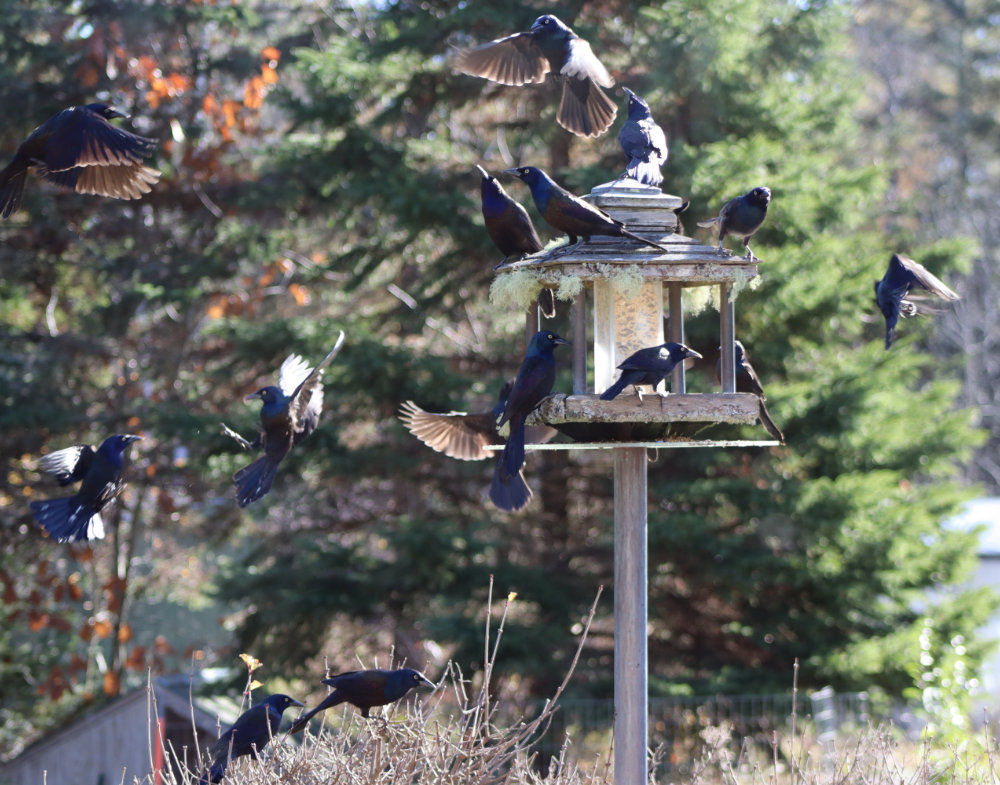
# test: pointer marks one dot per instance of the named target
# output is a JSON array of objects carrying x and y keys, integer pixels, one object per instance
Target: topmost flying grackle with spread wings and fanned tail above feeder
[{"x": 550, "y": 47}]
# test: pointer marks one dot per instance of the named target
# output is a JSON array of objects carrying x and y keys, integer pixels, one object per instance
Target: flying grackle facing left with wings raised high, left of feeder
[{"x": 290, "y": 412}]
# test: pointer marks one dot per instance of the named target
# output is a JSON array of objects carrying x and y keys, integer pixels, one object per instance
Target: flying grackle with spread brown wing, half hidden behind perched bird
[{"x": 463, "y": 436}]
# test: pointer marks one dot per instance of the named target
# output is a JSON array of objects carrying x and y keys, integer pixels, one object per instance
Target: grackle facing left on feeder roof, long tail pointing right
[{"x": 571, "y": 214}]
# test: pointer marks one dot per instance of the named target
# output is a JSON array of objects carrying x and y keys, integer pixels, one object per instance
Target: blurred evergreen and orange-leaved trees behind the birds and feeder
[{"x": 319, "y": 175}]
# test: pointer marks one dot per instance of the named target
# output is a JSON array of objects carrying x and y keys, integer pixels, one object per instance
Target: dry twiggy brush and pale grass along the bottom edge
[{"x": 454, "y": 738}]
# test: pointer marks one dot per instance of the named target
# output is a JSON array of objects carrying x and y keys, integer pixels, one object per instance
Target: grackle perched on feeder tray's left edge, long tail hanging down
[{"x": 534, "y": 381}]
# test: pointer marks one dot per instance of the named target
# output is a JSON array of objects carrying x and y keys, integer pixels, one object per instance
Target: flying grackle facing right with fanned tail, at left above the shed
[{"x": 77, "y": 517}]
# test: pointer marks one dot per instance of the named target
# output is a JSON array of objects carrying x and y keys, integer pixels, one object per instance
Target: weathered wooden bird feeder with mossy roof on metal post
[{"x": 628, "y": 284}]
